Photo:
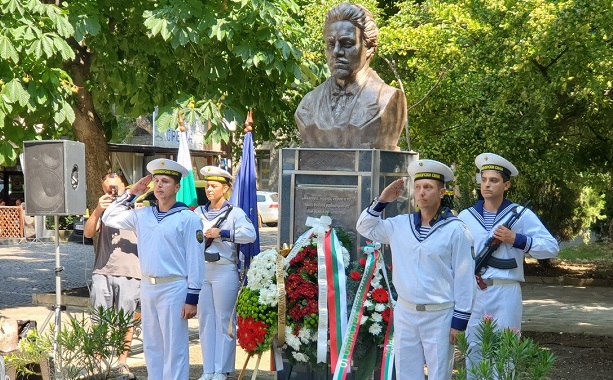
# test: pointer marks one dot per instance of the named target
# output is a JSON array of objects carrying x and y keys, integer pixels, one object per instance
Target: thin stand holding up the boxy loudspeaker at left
[{"x": 58, "y": 308}]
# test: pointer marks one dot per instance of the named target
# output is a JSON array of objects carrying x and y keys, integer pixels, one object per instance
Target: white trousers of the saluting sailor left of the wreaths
[{"x": 165, "y": 333}]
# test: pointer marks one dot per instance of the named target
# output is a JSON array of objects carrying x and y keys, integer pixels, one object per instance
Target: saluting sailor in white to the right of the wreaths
[{"x": 433, "y": 272}]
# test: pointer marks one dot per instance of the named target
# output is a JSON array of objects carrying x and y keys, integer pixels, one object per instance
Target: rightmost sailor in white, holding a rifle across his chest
[{"x": 499, "y": 293}]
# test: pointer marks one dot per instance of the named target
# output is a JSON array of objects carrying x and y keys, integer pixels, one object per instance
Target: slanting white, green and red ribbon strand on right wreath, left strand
[{"x": 344, "y": 362}]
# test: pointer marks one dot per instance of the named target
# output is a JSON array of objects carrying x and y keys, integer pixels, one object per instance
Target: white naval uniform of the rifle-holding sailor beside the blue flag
[{"x": 220, "y": 289}]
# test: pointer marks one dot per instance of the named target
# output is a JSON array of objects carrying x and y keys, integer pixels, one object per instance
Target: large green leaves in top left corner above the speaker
[{"x": 35, "y": 91}]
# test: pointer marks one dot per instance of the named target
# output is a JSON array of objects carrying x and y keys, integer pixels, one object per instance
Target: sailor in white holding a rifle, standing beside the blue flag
[{"x": 224, "y": 227}]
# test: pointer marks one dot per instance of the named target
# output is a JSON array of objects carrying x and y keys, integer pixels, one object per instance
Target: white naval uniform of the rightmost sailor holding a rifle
[{"x": 504, "y": 301}]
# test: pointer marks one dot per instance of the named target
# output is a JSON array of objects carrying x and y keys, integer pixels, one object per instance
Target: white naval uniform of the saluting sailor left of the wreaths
[{"x": 170, "y": 247}]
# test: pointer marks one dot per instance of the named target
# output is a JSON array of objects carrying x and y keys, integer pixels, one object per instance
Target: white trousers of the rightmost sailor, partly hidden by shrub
[{"x": 503, "y": 303}]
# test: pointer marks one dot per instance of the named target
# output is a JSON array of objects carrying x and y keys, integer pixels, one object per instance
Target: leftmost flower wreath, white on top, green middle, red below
[{"x": 256, "y": 307}]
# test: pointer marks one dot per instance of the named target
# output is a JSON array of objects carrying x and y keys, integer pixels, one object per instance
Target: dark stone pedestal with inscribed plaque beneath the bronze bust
[{"x": 339, "y": 183}]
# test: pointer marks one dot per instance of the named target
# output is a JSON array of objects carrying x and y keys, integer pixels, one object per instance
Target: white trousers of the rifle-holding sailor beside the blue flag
[{"x": 215, "y": 306}]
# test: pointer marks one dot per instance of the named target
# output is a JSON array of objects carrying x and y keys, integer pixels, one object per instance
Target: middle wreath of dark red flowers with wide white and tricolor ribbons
[{"x": 317, "y": 253}]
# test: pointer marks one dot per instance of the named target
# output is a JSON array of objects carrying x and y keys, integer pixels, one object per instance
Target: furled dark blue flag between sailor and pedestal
[{"x": 244, "y": 195}]
